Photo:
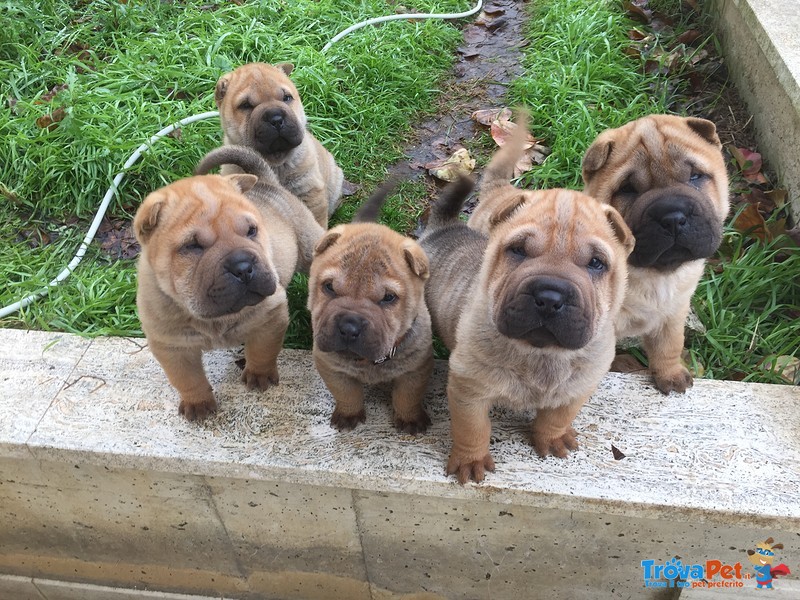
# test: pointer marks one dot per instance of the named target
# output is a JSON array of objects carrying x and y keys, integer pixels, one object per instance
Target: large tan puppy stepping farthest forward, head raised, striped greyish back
[{"x": 528, "y": 312}]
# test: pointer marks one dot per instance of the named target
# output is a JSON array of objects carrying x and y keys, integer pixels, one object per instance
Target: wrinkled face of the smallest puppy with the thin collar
[{"x": 366, "y": 286}]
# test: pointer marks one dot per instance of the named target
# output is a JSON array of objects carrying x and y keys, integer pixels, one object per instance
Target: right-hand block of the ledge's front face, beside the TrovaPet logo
[{"x": 453, "y": 548}]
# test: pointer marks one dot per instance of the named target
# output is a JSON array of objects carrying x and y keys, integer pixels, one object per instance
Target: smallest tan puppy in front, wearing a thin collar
[{"x": 371, "y": 325}]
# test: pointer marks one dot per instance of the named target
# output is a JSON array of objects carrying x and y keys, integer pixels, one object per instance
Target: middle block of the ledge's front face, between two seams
[{"x": 290, "y": 538}]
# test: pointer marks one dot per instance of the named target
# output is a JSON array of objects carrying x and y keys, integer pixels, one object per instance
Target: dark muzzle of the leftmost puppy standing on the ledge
[{"x": 241, "y": 282}]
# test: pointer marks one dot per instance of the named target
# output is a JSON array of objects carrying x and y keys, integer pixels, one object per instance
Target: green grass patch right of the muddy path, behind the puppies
[{"x": 578, "y": 82}]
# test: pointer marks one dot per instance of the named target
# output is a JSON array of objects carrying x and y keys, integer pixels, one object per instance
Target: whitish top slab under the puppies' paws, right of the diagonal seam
[{"x": 709, "y": 451}]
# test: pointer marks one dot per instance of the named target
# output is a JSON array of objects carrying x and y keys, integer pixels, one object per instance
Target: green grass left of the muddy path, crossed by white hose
[{"x": 122, "y": 71}]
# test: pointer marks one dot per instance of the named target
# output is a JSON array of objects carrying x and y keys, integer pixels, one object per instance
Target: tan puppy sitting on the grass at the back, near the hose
[{"x": 260, "y": 107}]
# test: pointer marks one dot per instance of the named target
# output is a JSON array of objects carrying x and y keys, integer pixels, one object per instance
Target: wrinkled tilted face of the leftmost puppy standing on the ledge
[{"x": 206, "y": 244}]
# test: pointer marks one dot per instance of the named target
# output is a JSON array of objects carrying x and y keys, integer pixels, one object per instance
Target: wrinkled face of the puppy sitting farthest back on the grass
[{"x": 260, "y": 108}]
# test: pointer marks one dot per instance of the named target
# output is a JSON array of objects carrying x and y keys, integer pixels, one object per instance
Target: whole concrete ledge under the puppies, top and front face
[{"x": 102, "y": 482}]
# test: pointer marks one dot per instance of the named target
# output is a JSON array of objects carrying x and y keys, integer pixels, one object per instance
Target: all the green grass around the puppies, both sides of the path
[{"x": 129, "y": 69}]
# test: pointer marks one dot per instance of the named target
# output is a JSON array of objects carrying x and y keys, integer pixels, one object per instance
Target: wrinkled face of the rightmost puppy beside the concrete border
[{"x": 667, "y": 177}]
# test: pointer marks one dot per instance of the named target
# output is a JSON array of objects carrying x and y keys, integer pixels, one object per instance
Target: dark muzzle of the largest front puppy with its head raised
[{"x": 545, "y": 311}]
